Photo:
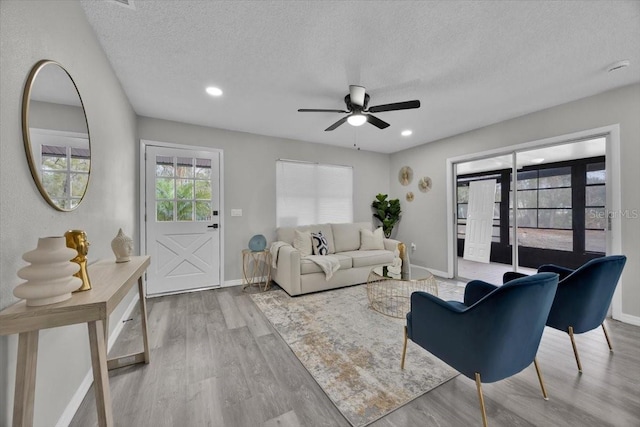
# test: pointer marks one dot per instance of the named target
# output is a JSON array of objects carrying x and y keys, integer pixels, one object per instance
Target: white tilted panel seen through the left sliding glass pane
[{"x": 477, "y": 242}]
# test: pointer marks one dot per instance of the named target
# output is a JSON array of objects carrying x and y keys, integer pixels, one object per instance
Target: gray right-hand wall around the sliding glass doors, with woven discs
[{"x": 424, "y": 220}]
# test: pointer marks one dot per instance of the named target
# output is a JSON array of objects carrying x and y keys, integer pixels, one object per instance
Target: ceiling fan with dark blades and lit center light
[{"x": 358, "y": 105}]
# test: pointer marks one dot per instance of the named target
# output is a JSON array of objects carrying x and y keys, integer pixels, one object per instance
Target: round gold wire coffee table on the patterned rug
[{"x": 390, "y": 294}]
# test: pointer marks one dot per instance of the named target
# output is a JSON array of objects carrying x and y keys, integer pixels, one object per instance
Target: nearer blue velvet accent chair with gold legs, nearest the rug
[{"x": 492, "y": 335}]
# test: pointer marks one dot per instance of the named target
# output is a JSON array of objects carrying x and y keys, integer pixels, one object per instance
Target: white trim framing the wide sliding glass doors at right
[{"x": 614, "y": 194}]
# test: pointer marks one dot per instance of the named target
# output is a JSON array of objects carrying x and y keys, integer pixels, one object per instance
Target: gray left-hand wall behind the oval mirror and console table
[{"x": 30, "y": 31}]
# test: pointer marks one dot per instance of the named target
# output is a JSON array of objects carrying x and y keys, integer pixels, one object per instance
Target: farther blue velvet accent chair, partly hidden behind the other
[{"x": 583, "y": 297}]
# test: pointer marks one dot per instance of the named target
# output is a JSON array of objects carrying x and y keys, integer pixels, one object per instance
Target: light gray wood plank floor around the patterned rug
[{"x": 216, "y": 361}]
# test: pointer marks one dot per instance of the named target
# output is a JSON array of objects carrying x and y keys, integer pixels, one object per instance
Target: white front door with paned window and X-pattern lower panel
[{"x": 182, "y": 198}]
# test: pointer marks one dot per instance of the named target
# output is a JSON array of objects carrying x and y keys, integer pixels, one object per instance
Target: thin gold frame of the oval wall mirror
[{"x": 34, "y": 167}]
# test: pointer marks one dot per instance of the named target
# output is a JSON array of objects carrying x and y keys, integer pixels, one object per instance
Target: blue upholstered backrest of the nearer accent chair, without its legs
[{"x": 499, "y": 335}]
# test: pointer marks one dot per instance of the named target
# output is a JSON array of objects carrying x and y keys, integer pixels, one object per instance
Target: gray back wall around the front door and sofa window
[{"x": 250, "y": 177}]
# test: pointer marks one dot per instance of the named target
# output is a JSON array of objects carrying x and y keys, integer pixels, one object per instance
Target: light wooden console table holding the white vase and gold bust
[{"x": 110, "y": 283}]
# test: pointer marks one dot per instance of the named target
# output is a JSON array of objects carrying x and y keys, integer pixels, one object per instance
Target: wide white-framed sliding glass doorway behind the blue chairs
[{"x": 565, "y": 186}]
